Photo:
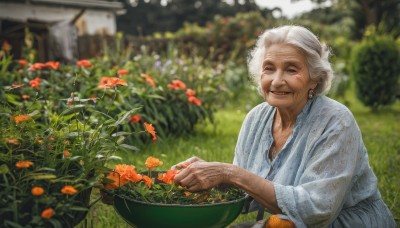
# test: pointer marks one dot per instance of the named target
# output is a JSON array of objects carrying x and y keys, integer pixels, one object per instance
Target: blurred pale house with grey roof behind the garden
[{"x": 56, "y": 24}]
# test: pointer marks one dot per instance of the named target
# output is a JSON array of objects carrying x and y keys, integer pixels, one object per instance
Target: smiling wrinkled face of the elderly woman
[{"x": 285, "y": 79}]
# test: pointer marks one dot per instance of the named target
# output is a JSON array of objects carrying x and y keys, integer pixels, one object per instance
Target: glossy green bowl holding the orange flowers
[{"x": 142, "y": 214}]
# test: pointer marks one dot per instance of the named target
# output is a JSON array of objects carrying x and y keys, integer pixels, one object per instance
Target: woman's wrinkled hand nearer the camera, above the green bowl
[{"x": 203, "y": 175}]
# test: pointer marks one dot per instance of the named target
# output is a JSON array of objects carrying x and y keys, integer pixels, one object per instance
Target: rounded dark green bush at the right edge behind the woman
[{"x": 375, "y": 66}]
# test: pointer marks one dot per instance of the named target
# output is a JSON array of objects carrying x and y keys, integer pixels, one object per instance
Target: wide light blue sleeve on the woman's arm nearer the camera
[{"x": 329, "y": 164}]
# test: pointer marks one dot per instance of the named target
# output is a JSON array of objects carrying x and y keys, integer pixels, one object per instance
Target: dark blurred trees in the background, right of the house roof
[{"x": 140, "y": 15}]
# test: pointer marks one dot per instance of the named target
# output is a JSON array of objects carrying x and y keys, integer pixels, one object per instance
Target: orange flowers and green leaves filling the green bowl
[{"x": 158, "y": 186}]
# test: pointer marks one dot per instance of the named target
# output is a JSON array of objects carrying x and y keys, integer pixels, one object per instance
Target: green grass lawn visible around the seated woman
[{"x": 381, "y": 134}]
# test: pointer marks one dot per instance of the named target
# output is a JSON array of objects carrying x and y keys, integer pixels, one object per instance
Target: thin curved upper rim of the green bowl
[{"x": 183, "y": 205}]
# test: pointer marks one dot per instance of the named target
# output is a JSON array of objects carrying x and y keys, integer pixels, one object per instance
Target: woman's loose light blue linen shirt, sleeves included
[{"x": 322, "y": 176}]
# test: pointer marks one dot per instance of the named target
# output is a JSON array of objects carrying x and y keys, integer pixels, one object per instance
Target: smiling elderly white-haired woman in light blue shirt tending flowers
[{"x": 300, "y": 154}]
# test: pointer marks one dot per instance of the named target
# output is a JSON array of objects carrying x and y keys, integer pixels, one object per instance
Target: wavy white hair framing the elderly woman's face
[{"x": 316, "y": 54}]
